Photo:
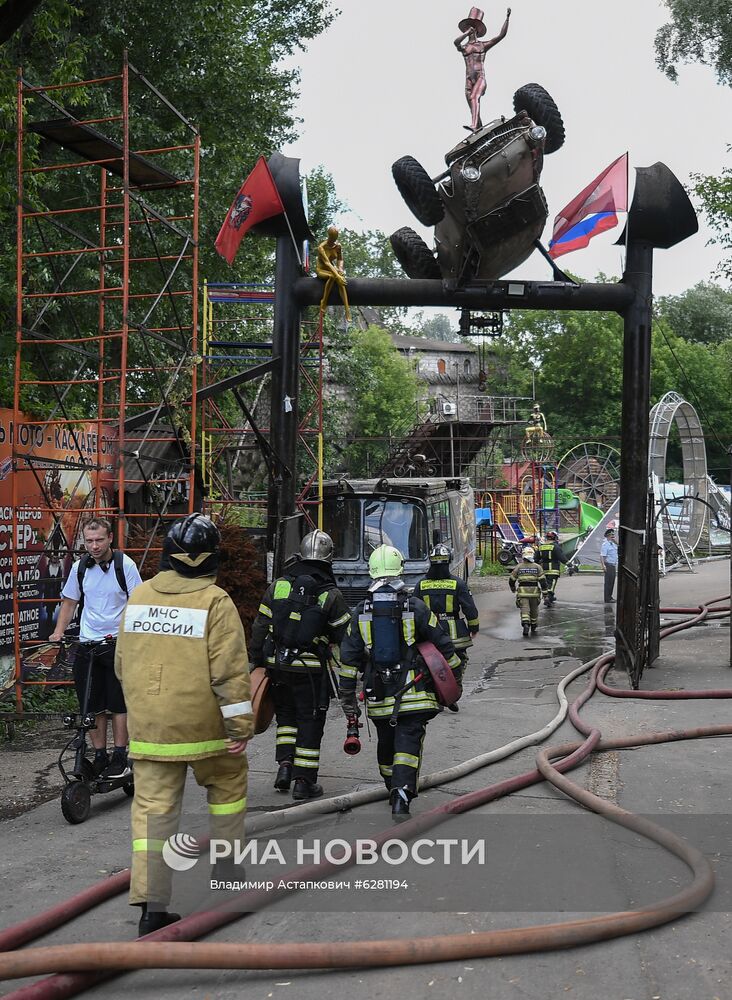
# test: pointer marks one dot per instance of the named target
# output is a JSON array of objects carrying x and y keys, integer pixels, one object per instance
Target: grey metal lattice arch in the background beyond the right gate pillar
[{"x": 670, "y": 409}]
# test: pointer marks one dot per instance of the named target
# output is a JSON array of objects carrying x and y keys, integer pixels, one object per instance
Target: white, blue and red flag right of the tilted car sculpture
[{"x": 593, "y": 210}]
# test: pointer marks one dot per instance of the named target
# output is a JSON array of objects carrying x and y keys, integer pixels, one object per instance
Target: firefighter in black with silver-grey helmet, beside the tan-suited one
[{"x": 301, "y": 615}]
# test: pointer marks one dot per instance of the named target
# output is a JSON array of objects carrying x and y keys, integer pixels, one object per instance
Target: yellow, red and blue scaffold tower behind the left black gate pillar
[{"x": 239, "y": 461}]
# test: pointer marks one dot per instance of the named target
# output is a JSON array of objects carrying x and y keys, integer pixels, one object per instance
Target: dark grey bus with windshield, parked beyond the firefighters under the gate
[{"x": 413, "y": 515}]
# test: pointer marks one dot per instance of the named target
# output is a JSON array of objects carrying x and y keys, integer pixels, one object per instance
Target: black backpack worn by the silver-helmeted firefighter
[{"x": 298, "y": 615}]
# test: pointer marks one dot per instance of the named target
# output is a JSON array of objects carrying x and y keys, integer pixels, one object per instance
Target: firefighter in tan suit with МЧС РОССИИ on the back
[{"x": 182, "y": 660}]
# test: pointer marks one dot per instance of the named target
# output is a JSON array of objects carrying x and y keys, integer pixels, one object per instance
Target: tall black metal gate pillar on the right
[{"x": 634, "y": 448}]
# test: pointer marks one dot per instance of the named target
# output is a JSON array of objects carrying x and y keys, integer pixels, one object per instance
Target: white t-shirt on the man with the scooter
[{"x": 104, "y": 601}]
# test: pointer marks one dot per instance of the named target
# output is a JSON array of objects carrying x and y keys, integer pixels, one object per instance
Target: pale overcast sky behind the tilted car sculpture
[{"x": 385, "y": 80}]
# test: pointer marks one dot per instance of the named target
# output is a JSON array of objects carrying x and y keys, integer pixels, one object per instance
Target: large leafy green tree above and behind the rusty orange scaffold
[{"x": 220, "y": 63}]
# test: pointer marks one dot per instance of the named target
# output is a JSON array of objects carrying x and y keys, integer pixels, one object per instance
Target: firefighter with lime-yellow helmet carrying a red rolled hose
[{"x": 381, "y": 645}]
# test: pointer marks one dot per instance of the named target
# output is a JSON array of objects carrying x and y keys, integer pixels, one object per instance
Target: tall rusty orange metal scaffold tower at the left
[{"x": 106, "y": 351}]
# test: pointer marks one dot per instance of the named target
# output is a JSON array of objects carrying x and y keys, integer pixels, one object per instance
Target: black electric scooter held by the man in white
[{"x": 76, "y": 769}]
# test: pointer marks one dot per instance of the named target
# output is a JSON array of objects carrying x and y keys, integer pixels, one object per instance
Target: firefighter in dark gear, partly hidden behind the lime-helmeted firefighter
[{"x": 451, "y": 601}]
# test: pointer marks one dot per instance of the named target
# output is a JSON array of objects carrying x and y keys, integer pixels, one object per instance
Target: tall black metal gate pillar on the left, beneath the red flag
[{"x": 284, "y": 400}]
